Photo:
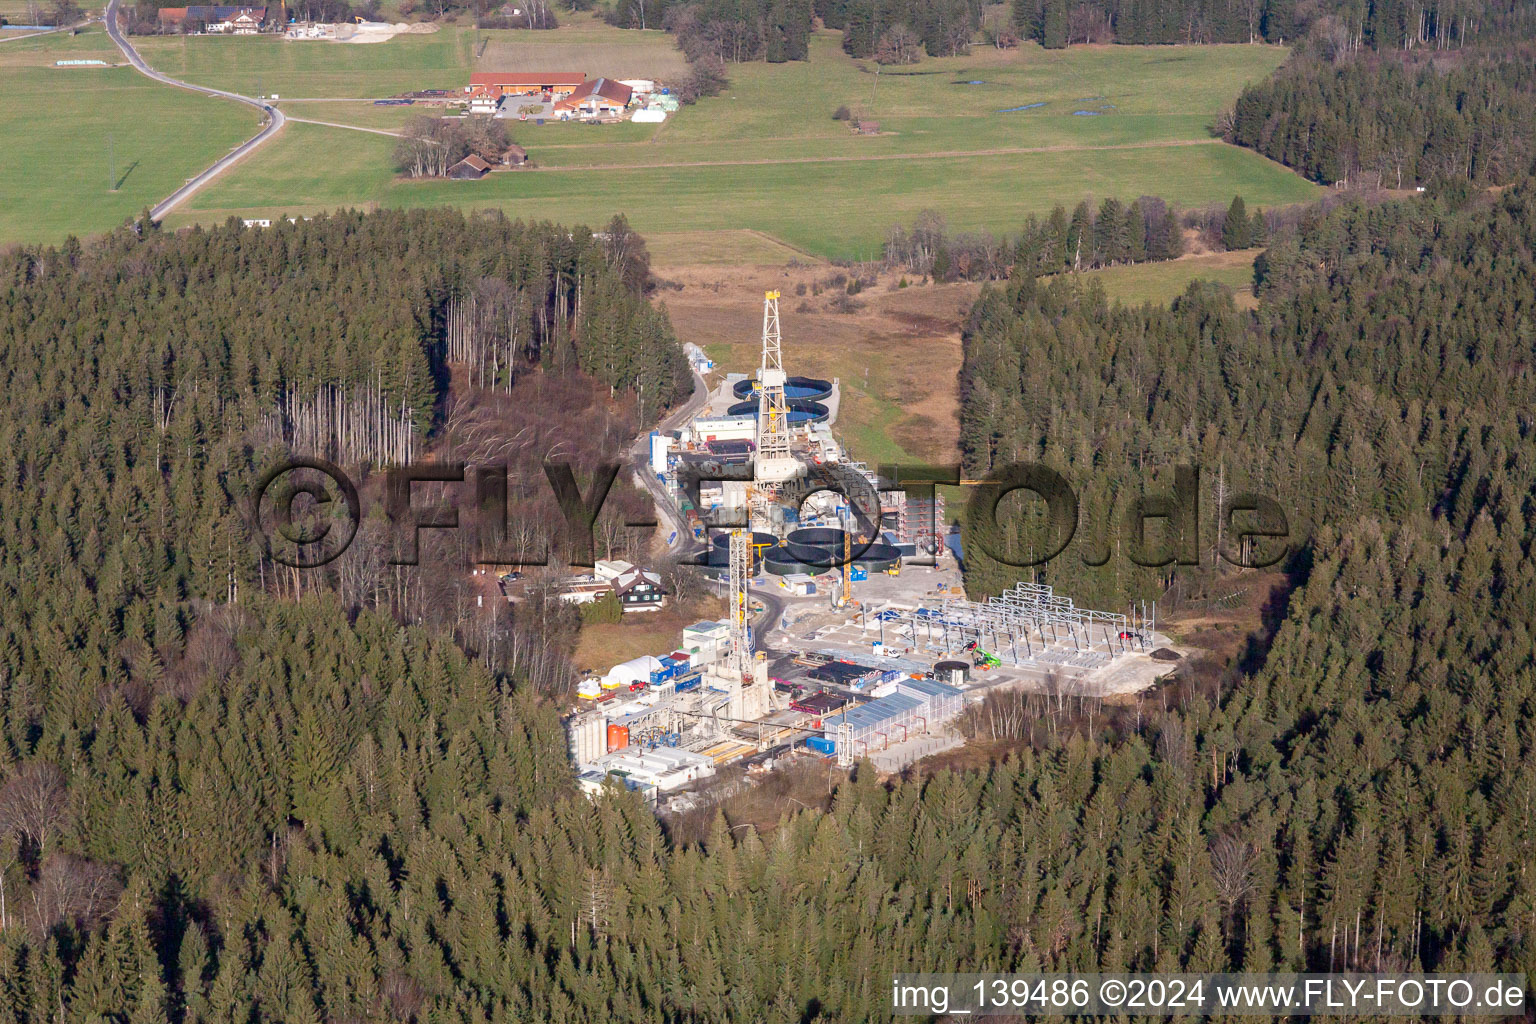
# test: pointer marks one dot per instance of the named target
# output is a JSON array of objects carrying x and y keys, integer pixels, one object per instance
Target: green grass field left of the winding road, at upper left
[{"x": 70, "y": 133}]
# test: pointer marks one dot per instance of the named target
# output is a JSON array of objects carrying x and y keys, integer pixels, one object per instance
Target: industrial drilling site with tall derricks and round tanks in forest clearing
[{"x": 866, "y": 644}]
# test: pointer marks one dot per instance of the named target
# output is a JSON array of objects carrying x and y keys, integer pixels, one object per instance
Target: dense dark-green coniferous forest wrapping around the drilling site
[{"x": 274, "y": 810}]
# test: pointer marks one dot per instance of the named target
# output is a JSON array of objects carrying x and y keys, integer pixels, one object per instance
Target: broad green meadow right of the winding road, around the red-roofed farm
[{"x": 766, "y": 156}]
